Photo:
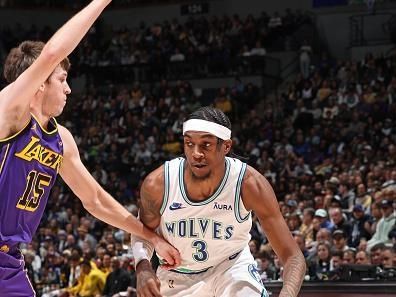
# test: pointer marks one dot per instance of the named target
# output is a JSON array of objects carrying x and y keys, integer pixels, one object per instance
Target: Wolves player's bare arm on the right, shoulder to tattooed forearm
[{"x": 258, "y": 195}]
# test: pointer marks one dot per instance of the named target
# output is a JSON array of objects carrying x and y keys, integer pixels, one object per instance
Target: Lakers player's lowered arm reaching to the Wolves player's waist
[{"x": 100, "y": 204}]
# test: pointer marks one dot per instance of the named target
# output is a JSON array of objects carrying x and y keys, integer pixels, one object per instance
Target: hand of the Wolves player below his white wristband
[{"x": 147, "y": 283}]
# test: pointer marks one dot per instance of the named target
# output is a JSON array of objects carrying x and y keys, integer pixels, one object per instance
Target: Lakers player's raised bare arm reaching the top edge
[{"x": 15, "y": 98}]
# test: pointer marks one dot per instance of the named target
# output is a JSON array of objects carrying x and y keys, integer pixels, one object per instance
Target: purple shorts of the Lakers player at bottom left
[{"x": 14, "y": 281}]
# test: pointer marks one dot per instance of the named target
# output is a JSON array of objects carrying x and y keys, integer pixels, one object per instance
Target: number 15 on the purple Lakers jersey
[{"x": 34, "y": 190}]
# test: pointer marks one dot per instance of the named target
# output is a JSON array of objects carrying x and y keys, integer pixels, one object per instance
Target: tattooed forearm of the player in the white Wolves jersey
[{"x": 293, "y": 275}]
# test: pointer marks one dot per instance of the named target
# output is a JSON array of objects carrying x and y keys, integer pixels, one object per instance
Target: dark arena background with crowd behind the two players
[{"x": 310, "y": 87}]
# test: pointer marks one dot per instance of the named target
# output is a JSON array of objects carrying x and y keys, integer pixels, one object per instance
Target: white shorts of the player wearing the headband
[{"x": 234, "y": 277}]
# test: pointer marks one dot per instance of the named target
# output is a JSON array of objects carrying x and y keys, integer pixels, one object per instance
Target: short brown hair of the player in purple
[{"x": 21, "y": 57}]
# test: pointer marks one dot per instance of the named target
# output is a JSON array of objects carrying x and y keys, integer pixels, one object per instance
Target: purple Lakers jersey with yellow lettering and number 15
[{"x": 29, "y": 163}]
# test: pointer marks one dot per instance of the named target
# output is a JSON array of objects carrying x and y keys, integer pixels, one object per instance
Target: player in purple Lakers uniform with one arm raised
[{"x": 34, "y": 149}]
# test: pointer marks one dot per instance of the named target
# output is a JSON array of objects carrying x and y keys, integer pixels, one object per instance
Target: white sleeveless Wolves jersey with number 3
[{"x": 210, "y": 231}]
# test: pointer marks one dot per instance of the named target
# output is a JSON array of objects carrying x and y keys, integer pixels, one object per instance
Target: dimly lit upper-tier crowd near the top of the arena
[{"x": 198, "y": 47}]
